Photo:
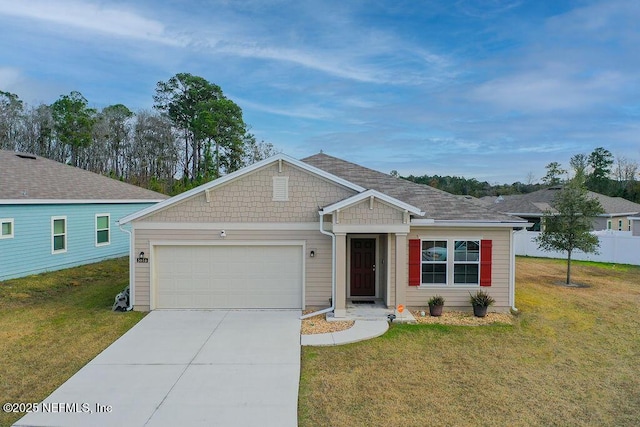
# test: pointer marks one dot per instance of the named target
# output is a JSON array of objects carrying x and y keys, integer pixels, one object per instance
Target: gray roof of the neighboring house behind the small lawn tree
[{"x": 538, "y": 202}]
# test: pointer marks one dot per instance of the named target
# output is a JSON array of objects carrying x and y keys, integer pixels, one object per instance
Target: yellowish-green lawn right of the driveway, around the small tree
[{"x": 571, "y": 358}]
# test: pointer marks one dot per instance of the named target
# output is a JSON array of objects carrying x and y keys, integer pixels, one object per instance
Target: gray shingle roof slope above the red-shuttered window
[{"x": 437, "y": 204}]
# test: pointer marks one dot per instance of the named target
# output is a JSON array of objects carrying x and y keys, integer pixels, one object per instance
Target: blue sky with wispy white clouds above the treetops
[{"x": 488, "y": 89}]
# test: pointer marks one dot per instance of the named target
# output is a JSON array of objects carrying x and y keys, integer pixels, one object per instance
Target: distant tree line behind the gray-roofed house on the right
[{"x": 602, "y": 172}]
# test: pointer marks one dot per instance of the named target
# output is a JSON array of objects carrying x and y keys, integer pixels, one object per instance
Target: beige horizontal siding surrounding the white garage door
[{"x": 317, "y": 269}]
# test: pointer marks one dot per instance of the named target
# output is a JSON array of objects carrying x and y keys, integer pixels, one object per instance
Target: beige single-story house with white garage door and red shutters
[{"x": 318, "y": 232}]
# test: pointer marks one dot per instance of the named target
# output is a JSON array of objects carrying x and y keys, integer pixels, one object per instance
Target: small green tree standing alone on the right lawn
[{"x": 568, "y": 228}]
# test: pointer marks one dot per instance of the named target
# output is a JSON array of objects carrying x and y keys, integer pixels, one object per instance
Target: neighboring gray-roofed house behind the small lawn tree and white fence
[{"x": 532, "y": 207}]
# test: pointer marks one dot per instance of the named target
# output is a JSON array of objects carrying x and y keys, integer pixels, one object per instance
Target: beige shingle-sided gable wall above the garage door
[{"x": 250, "y": 199}]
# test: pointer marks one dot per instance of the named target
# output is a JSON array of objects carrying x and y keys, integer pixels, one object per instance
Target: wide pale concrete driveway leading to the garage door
[{"x": 187, "y": 367}]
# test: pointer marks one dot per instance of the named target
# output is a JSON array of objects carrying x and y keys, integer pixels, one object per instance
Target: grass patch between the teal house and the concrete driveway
[{"x": 52, "y": 324}]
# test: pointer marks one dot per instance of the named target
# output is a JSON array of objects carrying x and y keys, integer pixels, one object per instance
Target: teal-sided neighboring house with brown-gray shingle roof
[{"x": 55, "y": 216}]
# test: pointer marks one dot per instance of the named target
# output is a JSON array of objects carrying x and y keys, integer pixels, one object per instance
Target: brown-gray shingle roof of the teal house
[{"x": 25, "y": 179}]
